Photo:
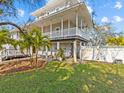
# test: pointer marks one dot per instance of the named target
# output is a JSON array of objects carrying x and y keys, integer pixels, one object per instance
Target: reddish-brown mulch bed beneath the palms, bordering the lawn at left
[{"x": 13, "y": 67}]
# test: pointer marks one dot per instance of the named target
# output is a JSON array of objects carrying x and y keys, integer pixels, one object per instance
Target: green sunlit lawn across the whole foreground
[{"x": 66, "y": 78}]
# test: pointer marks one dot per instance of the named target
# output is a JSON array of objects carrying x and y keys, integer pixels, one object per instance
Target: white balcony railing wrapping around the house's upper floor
[{"x": 71, "y": 32}]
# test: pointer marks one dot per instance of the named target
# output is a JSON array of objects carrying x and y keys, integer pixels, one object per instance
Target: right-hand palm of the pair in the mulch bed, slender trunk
[{"x": 38, "y": 40}]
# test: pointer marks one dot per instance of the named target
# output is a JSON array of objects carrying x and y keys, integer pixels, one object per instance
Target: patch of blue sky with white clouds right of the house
[{"x": 109, "y": 11}]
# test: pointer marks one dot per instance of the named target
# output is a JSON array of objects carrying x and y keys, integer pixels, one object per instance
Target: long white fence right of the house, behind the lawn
[{"x": 107, "y": 54}]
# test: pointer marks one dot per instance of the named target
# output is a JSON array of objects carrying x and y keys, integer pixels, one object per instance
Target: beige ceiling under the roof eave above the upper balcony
[{"x": 69, "y": 13}]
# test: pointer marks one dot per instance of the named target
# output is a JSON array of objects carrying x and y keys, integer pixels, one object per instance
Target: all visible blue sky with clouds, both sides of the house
[{"x": 107, "y": 11}]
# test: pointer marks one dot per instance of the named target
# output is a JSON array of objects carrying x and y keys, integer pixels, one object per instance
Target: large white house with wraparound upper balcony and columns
[{"x": 66, "y": 23}]
